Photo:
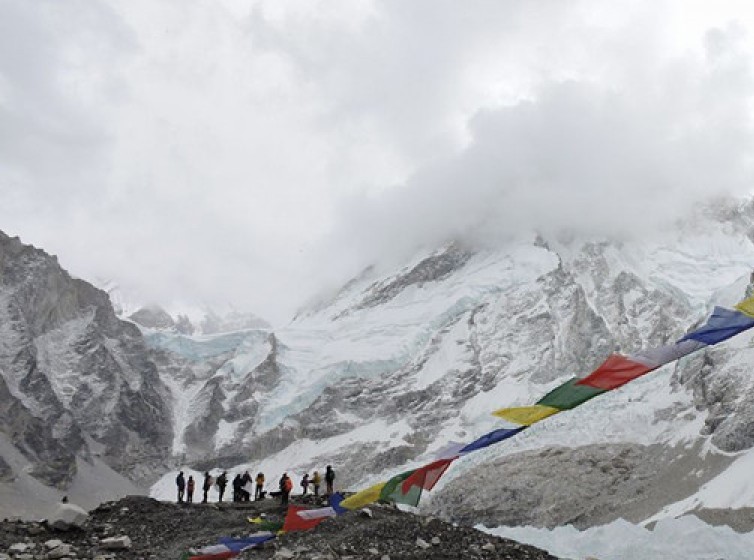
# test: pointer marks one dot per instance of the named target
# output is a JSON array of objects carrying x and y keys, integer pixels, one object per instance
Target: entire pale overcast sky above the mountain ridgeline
[{"x": 254, "y": 152}]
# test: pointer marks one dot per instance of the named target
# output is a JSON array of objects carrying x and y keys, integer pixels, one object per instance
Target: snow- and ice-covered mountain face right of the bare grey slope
[{"x": 380, "y": 377}]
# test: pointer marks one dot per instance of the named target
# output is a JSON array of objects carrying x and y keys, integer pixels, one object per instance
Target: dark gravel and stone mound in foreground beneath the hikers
[{"x": 160, "y": 530}]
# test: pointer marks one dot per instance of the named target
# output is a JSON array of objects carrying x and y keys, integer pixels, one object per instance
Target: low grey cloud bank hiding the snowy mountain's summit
[{"x": 619, "y": 156}]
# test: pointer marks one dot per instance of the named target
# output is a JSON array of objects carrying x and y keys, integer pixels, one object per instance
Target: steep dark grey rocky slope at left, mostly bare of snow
[{"x": 75, "y": 381}]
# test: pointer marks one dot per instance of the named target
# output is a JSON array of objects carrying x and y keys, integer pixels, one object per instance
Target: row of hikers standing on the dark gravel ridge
[{"x": 243, "y": 486}]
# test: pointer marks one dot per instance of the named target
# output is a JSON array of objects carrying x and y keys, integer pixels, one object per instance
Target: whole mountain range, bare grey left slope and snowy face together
[{"x": 381, "y": 376}]
